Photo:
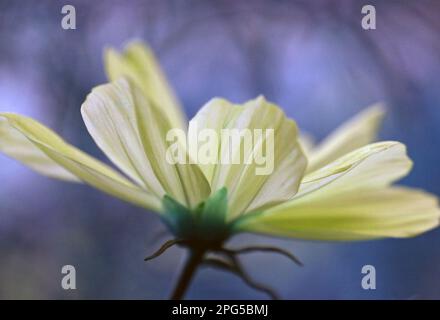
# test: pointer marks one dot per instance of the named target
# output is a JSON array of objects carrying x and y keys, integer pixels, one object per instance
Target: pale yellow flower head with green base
[{"x": 340, "y": 189}]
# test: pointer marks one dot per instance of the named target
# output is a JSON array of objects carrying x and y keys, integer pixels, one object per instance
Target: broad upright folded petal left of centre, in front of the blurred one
[{"x": 132, "y": 133}]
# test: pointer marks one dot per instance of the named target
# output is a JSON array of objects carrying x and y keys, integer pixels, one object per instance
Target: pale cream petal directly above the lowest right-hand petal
[{"x": 374, "y": 166}]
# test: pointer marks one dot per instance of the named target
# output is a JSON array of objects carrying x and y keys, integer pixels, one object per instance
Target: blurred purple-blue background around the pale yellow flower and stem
[{"x": 310, "y": 57}]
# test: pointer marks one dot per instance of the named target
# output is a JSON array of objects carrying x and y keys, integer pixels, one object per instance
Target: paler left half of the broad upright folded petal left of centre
[{"x": 110, "y": 117}]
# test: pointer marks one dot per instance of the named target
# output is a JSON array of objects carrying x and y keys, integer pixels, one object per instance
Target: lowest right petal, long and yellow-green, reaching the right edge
[{"x": 389, "y": 212}]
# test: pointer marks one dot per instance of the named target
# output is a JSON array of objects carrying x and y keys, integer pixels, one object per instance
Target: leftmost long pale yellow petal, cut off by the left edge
[{"x": 44, "y": 151}]
